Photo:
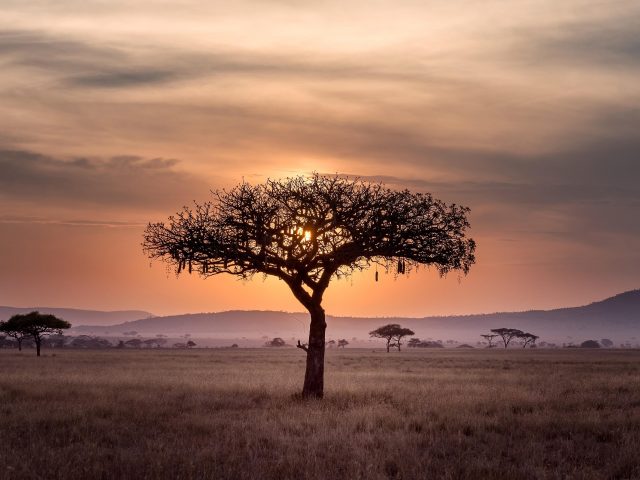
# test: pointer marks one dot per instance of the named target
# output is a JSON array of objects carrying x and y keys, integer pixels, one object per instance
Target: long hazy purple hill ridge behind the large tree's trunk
[{"x": 617, "y": 318}]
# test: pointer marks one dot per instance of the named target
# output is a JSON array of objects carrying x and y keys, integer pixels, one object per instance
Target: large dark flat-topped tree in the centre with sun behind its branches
[{"x": 306, "y": 231}]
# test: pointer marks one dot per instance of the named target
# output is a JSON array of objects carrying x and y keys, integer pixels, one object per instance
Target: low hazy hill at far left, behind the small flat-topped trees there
[{"x": 79, "y": 317}]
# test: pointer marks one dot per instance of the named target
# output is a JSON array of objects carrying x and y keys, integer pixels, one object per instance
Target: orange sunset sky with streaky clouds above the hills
[{"x": 116, "y": 114}]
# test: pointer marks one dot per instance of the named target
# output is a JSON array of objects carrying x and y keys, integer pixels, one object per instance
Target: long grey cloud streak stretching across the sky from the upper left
[{"x": 92, "y": 65}]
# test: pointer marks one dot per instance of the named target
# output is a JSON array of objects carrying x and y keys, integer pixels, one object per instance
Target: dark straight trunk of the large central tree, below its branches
[{"x": 314, "y": 375}]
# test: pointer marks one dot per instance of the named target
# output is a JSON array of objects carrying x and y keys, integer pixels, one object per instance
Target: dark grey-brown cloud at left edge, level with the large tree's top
[{"x": 126, "y": 181}]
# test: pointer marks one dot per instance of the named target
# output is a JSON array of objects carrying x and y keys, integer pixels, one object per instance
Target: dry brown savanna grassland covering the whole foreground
[{"x": 227, "y": 413}]
